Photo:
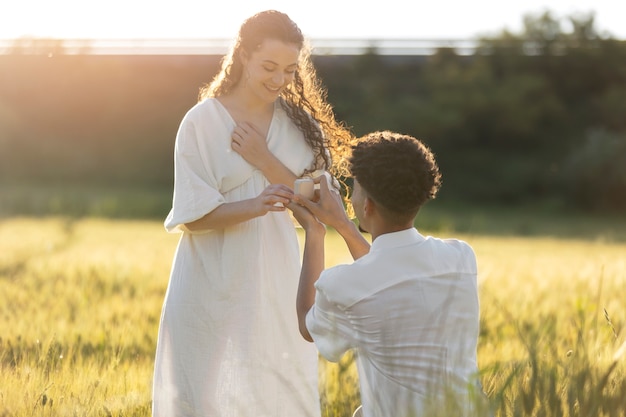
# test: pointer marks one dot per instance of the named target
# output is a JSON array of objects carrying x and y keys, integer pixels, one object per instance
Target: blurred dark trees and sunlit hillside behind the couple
[{"x": 534, "y": 117}]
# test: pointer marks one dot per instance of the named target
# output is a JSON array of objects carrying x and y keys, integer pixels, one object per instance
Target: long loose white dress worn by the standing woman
[{"x": 228, "y": 341}]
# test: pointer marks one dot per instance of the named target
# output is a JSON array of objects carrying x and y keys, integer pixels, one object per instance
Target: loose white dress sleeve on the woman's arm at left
[{"x": 195, "y": 185}]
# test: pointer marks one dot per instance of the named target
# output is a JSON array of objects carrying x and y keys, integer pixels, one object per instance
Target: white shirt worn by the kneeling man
[{"x": 410, "y": 310}]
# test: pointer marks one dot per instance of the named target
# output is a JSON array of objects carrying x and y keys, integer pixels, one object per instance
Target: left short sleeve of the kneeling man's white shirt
[{"x": 329, "y": 327}]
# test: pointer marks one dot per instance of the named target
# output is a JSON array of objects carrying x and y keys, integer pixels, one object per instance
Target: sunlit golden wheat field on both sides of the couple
[{"x": 80, "y": 301}]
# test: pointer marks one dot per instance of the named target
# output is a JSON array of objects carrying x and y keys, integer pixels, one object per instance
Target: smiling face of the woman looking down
[{"x": 270, "y": 68}]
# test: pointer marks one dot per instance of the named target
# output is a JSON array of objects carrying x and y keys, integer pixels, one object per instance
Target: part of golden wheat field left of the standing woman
[{"x": 80, "y": 302}]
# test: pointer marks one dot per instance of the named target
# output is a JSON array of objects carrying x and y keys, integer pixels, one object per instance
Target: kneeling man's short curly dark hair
[{"x": 397, "y": 171}]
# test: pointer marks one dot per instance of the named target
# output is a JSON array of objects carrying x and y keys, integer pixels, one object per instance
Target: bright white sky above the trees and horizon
[{"x": 321, "y": 19}]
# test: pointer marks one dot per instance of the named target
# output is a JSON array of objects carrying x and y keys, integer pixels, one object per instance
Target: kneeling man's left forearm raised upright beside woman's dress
[{"x": 312, "y": 264}]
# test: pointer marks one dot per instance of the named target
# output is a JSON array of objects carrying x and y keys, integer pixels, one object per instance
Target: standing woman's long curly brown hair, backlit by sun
[{"x": 304, "y": 99}]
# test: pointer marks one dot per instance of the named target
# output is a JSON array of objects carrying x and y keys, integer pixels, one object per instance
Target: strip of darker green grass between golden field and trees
[{"x": 88, "y": 200}]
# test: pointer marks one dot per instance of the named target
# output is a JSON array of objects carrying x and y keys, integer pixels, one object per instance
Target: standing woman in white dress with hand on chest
[{"x": 228, "y": 340}]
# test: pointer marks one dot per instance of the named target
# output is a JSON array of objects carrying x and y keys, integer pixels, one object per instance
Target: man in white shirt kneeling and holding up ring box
[{"x": 408, "y": 305}]
